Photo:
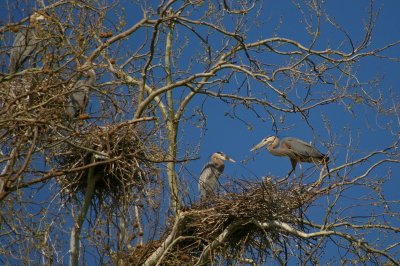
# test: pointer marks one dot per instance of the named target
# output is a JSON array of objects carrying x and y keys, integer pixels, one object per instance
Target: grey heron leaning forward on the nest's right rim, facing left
[{"x": 296, "y": 149}]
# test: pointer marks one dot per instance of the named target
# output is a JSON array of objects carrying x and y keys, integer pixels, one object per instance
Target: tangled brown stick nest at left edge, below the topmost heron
[{"x": 33, "y": 102}]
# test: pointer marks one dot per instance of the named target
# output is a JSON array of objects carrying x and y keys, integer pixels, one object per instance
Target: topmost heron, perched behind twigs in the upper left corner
[{"x": 25, "y": 42}]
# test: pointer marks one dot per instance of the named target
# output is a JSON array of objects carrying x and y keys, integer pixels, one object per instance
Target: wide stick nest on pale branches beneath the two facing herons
[{"x": 238, "y": 213}]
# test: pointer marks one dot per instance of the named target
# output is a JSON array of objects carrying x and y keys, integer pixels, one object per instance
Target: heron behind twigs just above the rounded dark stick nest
[{"x": 79, "y": 97}]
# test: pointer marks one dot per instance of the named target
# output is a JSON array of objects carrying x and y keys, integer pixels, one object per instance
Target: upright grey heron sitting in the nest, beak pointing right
[{"x": 208, "y": 179}]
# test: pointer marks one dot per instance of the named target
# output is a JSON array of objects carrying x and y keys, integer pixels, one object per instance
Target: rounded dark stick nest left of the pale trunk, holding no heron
[{"x": 121, "y": 156}]
